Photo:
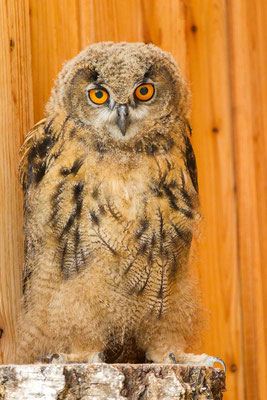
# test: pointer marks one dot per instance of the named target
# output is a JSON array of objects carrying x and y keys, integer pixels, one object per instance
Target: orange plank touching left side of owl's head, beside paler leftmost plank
[{"x": 54, "y": 39}]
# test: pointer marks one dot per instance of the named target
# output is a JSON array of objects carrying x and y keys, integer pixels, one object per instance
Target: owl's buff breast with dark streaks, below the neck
[{"x": 133, "y": 226}]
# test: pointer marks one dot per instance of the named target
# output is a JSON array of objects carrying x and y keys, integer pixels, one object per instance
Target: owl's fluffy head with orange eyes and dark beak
[{"x": 121, "y": 90}]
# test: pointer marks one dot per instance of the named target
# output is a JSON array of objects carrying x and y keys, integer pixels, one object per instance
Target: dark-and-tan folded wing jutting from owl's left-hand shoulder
[{"x": 33, "y": 152}]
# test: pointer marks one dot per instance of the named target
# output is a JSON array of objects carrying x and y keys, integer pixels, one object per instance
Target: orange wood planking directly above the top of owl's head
[{"x": 158, "y": 22}]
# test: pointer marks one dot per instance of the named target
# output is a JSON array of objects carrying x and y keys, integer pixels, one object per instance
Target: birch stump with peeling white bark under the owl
[{"x": 110, "y": 381}]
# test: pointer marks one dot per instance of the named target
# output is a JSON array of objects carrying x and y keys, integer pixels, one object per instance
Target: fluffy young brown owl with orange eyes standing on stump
[{"x": 110, "y": 210}]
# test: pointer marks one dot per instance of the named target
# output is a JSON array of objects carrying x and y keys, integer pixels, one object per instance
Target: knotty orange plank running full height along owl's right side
[{"x": 212, "y": 138}]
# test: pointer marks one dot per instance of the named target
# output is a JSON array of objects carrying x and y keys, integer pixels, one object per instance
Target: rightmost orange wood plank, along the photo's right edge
[{"x": 248, "y": 60}]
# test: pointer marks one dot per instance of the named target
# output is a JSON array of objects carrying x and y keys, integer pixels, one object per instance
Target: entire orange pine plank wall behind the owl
[{"x": 222, "y": 49}]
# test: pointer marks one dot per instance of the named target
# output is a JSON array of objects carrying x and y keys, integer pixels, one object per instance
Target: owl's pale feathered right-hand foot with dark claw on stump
[{"x": 189, "y": 359}]
